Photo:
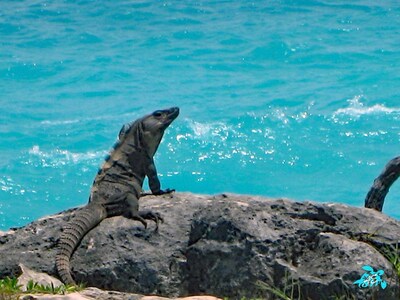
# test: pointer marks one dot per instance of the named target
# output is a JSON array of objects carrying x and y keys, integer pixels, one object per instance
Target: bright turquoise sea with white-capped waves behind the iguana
[{"x": 295, "y": 99}]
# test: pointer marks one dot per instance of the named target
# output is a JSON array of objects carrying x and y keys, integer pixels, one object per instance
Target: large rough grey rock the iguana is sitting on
[{"x": 222, "y": 245}]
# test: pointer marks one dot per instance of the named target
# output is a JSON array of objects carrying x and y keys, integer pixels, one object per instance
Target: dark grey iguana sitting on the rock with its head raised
[{"x": 118, "y": 184}]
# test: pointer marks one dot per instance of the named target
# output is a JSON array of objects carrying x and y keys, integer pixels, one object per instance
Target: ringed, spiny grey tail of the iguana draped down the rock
[{"x": 85, "y": 219}]
